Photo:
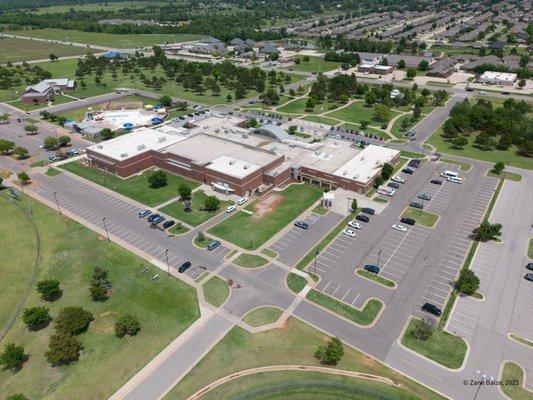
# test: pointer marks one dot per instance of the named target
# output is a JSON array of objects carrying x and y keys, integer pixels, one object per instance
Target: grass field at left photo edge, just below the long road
[{"x": 25, "y": 50}]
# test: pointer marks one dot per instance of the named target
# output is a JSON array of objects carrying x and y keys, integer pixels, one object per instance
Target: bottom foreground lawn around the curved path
[{"x": 294, "y": 344}]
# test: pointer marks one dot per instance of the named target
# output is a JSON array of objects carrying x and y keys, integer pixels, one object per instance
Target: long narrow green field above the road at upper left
[{"x": 107, "y": 39}]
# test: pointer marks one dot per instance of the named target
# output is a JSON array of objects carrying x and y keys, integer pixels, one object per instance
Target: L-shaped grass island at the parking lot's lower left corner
[{"x": 361, "y": 317}]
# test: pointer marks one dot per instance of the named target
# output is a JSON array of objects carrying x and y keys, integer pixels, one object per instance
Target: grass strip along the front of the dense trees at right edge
[{"x": 509, "y": 157}]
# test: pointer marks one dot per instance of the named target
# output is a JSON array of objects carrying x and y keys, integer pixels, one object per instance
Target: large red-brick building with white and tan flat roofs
[{"x": 221, "y": 152}]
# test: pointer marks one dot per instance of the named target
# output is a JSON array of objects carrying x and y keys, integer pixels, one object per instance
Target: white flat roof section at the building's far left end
[{"x": 139, "y": 141}]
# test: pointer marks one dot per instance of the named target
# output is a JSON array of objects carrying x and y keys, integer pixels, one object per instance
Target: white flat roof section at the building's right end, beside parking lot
[{"x": 364, "y": 166}]
